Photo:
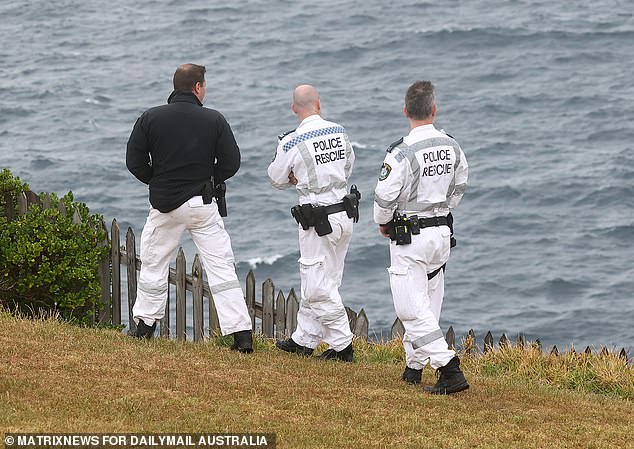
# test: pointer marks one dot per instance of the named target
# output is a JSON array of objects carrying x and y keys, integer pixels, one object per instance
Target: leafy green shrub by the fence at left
[{"x": 49, "y": 261}]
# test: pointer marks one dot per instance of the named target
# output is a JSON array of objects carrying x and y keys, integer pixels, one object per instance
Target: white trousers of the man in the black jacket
[{"x": 162, "y": 235}]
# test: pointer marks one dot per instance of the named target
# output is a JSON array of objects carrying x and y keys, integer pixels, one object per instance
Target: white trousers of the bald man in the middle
[{"x": 321, "y": 314}]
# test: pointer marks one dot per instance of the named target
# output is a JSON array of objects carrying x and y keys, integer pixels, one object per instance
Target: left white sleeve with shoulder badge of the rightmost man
[{"x": 392, "y": 178}]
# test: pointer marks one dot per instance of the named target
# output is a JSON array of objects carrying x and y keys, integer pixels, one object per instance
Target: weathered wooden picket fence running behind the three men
[{"x": 275, "y": 315}]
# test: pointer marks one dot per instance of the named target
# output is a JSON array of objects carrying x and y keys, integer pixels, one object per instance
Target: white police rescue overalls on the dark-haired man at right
[{"x": 424, "y": 175}]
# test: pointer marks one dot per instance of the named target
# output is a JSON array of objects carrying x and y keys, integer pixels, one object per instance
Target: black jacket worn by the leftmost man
[{"x": 177, "y": 147}]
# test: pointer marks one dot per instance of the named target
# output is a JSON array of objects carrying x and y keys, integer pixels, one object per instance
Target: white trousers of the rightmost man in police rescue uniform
[{"x": 418, "y": 300}]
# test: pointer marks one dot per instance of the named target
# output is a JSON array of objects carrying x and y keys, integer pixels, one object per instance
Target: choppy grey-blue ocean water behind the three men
[{"x": 539, "y": 94}]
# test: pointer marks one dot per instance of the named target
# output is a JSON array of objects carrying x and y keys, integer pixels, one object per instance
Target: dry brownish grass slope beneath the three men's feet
[{"x": 59, "y": 378}]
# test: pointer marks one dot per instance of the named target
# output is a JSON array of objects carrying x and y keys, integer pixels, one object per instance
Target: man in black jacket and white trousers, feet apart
[{"x": 176, "y": 149}]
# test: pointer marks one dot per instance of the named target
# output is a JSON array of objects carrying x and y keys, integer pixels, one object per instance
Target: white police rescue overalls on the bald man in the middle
[{"x": 320, "y": 156}]
